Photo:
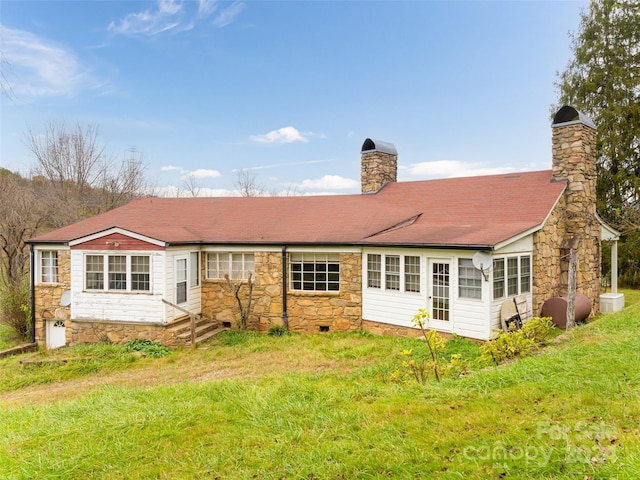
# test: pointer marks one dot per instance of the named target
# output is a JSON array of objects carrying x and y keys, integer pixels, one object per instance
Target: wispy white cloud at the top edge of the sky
[{"x": 174, "y": 16}]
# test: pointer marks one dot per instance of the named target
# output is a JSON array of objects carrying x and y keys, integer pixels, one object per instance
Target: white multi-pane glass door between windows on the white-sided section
[{"x": 439, "y": 293}]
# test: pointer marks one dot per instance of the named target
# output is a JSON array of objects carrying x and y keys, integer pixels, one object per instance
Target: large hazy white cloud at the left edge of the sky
[{"x": 37, "y": 67}]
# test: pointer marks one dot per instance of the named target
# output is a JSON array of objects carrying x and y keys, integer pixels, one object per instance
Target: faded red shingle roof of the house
[{"x": 472, "y": 211}]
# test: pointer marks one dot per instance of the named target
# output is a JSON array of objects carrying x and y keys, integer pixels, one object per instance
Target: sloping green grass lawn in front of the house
[{"x": 326, "y": 407}]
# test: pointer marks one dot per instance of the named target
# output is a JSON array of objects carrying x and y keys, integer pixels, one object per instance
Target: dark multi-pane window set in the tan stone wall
[{"x": 315, "y": 272}]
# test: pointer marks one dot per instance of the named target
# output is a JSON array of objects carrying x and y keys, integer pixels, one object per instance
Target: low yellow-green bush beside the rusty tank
[{"x": 518, "y": 343}]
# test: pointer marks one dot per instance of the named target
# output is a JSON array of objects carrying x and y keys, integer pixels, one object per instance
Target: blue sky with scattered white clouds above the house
[{"x": 289, "y": 89}]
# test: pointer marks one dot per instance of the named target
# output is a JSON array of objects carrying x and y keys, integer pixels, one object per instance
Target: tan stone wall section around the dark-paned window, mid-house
[{"x": 306, "y": 312}]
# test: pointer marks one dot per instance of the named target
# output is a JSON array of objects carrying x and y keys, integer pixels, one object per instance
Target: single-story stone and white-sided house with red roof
[{"x": 331, "y": 263}]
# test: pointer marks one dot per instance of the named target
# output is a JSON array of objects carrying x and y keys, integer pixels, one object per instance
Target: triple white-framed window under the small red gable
[{"x": 126, "y": 273}]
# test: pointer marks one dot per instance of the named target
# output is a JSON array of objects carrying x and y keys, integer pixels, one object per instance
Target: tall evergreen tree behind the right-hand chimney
[{"x": 603, "y": 81}]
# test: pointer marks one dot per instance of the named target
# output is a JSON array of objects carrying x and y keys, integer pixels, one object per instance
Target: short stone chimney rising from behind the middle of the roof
[{"x": 379, "y": 165}]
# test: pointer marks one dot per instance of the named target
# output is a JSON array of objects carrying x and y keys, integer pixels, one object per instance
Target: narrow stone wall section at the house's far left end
[{"x": 47, "y": 299}]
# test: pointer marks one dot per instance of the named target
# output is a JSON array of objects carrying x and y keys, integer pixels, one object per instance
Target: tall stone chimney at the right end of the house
[{"x": 574, "y": 160}]
